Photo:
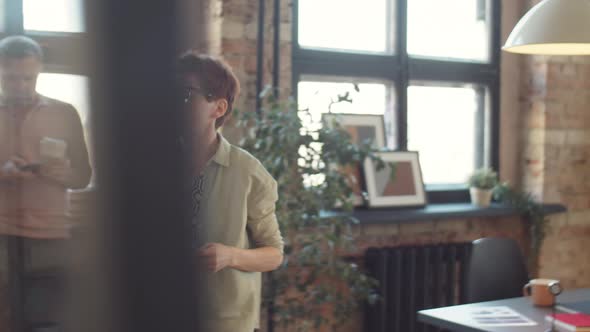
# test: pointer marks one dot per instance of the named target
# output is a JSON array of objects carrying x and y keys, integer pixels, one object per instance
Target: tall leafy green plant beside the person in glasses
[{"x": 319, "y": 285}]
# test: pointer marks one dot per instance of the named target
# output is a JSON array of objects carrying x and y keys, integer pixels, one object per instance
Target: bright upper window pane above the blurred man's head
[{"x": 54, "y": 15}]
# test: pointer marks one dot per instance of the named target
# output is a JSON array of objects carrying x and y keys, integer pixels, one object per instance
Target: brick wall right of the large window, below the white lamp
[{"x": 556, "y": 161}]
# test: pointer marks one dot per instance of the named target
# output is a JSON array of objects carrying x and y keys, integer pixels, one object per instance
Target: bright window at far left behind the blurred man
[{"x": 61, "y": 34}]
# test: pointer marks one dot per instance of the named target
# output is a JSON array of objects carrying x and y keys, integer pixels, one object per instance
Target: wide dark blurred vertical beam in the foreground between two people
[{"x": 136, "y": 126}]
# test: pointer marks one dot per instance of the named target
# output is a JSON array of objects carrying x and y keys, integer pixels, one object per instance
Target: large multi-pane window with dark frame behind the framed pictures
[{"x": 430, "y": 67}]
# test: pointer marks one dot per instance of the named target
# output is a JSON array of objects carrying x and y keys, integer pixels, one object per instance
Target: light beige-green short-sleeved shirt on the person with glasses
[{"x": 237, "y": 209}]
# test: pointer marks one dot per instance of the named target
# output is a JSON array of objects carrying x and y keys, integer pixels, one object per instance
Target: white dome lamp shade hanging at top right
[{"x": 553, "y": 27}]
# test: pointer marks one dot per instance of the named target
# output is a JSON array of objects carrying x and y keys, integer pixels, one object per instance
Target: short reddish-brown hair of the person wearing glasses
[{"x": 215, "y": 76}]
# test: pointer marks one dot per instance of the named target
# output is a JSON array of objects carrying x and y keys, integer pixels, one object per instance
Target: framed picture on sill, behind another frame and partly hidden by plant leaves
[{"x": 361, "y": 128}]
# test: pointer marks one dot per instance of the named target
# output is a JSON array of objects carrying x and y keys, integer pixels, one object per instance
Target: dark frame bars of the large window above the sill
[{"x": 401, "y": 69}]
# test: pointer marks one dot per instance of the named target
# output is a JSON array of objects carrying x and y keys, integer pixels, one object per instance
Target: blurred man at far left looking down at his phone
[{"x": 42, "y": 154}]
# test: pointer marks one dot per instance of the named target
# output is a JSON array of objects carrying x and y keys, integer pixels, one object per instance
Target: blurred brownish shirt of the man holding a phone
[{"x": 36, "y": 207}]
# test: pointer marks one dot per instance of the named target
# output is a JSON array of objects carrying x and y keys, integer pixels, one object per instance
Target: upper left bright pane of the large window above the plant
[{"x": 363, "y": 26}]
